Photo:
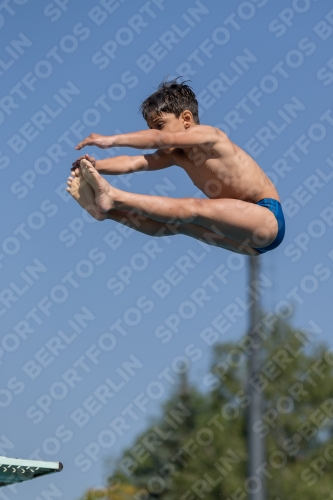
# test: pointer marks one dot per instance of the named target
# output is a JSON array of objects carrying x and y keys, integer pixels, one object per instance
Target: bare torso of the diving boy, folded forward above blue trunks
[{"x": 225, "y": 171}]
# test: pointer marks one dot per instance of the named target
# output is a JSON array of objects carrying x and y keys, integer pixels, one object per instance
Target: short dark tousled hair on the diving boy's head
[{"x": 171, "y": 97}]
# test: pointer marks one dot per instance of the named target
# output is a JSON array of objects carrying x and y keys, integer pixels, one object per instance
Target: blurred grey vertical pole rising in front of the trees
[{"x": 256, "y": 449}]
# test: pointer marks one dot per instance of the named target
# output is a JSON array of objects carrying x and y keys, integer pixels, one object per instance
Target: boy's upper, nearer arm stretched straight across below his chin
[{"x": 156, "y": 139}]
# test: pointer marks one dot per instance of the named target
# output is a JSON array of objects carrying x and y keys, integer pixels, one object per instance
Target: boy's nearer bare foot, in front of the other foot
[{"x": 104, "y": 198}]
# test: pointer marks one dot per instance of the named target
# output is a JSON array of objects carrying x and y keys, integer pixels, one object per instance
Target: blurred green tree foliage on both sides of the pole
[{"x": 197, "y": 448}]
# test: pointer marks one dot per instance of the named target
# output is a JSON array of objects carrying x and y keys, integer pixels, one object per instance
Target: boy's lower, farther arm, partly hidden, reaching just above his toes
[{"x": 120, "y": 165}]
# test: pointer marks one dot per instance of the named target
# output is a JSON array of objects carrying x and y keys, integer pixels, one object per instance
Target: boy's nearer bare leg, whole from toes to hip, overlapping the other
[{"x": 241, "y": 222}]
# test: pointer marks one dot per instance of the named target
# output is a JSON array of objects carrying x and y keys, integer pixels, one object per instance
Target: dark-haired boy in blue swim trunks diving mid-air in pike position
[{"x": 242, "y": 212}]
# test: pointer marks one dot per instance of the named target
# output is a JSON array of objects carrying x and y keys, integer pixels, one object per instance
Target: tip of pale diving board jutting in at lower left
[{"x": 16, "y": 470}]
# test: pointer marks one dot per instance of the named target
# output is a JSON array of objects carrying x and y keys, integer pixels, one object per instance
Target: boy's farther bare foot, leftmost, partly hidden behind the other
[{"x": 84, "y": 194}]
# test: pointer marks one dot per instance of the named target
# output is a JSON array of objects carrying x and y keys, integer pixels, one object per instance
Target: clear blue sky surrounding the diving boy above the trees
[{"x": 263, "y": 72}]
